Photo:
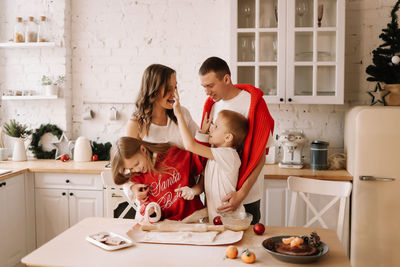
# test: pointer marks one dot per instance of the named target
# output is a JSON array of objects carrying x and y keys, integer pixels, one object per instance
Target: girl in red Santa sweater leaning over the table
[{"x": 162, "y": 171}]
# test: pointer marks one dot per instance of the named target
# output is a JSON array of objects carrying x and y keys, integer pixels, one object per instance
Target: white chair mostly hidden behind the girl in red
[{"x": 114, "y": 195}]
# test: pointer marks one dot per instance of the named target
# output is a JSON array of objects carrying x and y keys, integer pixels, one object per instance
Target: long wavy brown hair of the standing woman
[{"x": 155, "y": 78}]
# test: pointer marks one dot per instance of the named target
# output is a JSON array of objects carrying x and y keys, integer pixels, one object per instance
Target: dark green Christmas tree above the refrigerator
[{"x": 386, "y": 67}]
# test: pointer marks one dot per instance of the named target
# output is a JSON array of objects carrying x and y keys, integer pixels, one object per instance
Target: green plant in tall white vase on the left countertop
[{"x": 19, "y": 133}]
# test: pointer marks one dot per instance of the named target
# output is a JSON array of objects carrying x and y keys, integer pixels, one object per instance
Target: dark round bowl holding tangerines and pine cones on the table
[{"x": 292, "y": 258}]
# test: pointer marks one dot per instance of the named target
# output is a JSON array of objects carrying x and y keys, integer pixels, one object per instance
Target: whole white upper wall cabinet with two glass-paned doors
[{"x": 293, "y": 50}]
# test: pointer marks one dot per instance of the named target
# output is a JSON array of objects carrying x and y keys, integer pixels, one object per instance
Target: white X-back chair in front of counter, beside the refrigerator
[{"x": 340, "y": 190}]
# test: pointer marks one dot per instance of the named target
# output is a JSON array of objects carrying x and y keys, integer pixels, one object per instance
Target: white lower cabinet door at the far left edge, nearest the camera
[{"x": 13, "y": 234}]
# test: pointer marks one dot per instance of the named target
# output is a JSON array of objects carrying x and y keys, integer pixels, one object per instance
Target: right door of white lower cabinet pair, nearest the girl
[{"x": 84, "y": 204}]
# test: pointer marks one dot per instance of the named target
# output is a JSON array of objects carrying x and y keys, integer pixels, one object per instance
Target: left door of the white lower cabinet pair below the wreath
[{"x": 51, "y": 213}]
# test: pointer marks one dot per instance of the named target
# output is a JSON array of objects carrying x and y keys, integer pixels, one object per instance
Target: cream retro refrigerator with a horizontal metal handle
[{"x": 372, "y": 144}]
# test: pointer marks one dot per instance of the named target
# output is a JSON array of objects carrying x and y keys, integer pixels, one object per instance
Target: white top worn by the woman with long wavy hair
[{"x": 170, "y": 133}]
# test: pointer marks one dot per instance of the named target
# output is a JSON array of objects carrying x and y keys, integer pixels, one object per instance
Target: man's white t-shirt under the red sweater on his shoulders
[{"x": 241, "y": 104}]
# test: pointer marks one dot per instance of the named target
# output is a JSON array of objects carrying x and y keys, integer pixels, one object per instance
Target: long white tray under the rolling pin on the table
[{"x": 223, "y": 238}]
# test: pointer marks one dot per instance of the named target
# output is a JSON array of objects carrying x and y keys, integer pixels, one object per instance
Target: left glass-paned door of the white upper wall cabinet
[{"x": 260, "y": 46}]
